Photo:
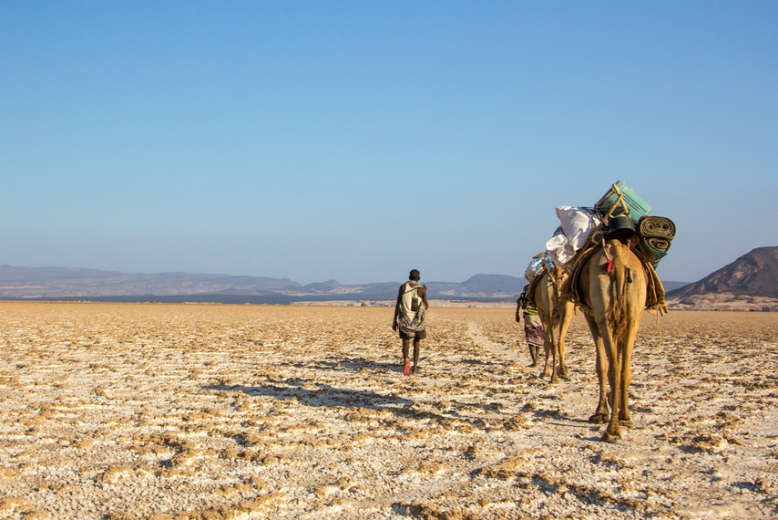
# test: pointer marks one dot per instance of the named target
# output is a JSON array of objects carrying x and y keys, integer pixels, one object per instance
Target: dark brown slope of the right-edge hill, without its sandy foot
[{"x": 754, "y": 274}]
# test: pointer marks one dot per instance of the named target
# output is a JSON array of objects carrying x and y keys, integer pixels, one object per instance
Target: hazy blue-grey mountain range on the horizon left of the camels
[{"x": 73, "y": 283}]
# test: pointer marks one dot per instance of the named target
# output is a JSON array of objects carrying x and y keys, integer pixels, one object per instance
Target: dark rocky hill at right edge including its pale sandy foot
[{"x": 748, "y": 283}]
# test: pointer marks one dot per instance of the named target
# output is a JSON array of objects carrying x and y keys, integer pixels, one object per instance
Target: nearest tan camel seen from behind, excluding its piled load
[{"x": 612, "y": 285}]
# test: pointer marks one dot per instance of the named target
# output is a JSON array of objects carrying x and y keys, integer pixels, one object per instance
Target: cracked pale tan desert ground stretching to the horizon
[{"x": 209, "y": 412}]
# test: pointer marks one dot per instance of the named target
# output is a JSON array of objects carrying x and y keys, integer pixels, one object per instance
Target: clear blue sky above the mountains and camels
[{"x": 357, "y": 140}]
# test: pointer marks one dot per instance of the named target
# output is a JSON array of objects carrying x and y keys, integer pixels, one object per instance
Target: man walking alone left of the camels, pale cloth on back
[{"x": 409, "y": 313}]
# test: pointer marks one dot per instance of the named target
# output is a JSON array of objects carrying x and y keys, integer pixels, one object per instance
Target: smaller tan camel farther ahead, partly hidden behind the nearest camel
[{"x": 554, "y": 312}]
